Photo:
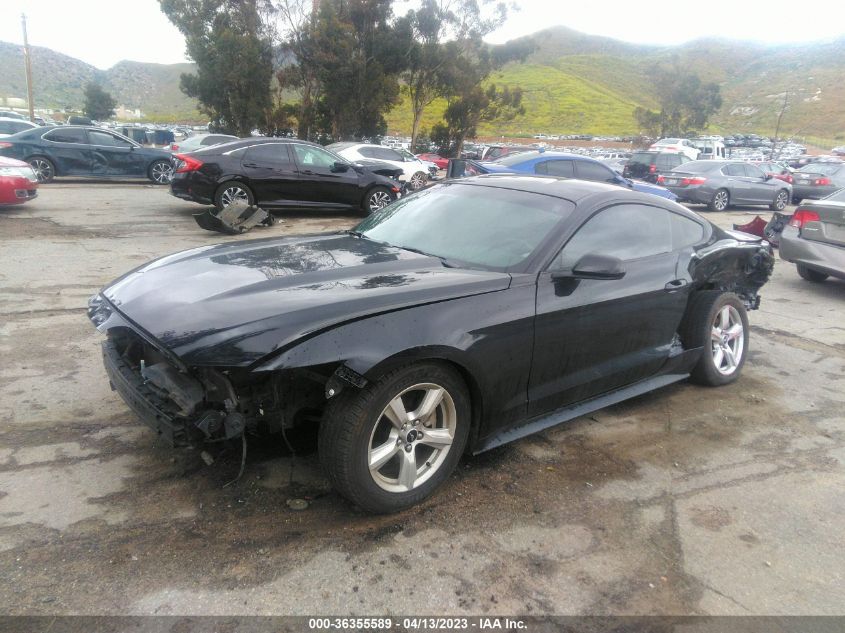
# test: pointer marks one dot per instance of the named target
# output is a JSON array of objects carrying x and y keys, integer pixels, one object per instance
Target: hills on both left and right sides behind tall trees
[{"x": 573, "y": 83}]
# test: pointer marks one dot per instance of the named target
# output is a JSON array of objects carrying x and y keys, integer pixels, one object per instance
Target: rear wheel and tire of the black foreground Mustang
[{"x": 717, "y": 322}]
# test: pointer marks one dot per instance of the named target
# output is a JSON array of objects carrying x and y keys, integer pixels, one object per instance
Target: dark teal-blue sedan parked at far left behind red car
[{"x": 70, "y": 150}]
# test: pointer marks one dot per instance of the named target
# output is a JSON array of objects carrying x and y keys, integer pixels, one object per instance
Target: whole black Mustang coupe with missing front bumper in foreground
[{"x": 464, "y": 316}]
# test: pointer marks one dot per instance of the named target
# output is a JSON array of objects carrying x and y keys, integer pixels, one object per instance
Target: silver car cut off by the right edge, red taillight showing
[{"x": 814, "y": 239}]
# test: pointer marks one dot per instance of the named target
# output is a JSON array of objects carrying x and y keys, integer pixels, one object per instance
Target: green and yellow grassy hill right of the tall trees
[{"x": 577, "y": 83}]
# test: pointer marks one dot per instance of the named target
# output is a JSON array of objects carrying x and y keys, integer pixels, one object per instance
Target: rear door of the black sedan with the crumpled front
[{"x": 272, "y": 175}]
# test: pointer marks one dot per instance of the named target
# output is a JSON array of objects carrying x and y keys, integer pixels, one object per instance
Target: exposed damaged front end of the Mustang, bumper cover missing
[{"x": 191, "y": 406}]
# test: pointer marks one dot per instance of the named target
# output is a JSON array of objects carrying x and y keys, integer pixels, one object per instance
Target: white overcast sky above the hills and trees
[{"x": 102, "y": 32}]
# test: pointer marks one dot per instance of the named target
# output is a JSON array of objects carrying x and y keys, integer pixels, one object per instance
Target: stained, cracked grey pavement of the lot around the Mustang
[{"x": 684, "y": 501}]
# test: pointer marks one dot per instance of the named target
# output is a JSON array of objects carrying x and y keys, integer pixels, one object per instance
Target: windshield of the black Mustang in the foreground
[{"x": 486, "y": 227}]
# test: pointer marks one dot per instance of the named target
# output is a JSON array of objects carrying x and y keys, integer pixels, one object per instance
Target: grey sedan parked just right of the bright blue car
[{"x": 721, "y": 183}]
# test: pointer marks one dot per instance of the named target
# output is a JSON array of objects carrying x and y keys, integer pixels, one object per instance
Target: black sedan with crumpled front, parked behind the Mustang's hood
[{"x": 275, "y": 173}]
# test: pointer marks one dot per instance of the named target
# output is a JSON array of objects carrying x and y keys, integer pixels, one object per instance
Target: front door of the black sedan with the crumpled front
[{"x": 327, "y": 180}]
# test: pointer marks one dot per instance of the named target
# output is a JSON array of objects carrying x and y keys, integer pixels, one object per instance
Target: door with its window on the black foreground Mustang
[{"x": 593, "y": 336}]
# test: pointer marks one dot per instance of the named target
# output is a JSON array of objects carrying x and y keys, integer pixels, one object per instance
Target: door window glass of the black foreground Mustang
[{"x": 626, "y": 231}]
